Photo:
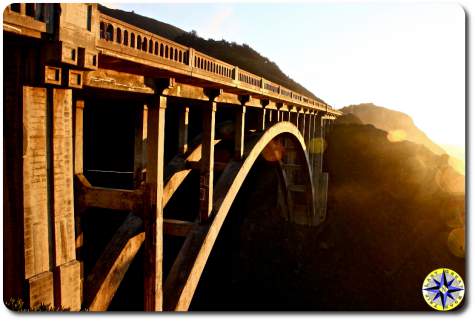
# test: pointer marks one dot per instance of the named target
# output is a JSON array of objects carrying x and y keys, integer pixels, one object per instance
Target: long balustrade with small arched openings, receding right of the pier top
[{"x": 126, "y": 39}]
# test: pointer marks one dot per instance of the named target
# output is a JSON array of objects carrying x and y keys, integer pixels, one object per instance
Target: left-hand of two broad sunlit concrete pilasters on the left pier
[{"x": 33, "y": 194}]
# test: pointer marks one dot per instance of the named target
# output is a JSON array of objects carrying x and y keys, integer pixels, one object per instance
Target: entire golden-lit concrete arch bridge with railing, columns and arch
[{"x": 79, "y": 84}]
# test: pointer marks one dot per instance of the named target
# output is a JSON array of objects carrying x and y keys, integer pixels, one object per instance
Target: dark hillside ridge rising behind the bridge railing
[{"x": 242, "y": 56}]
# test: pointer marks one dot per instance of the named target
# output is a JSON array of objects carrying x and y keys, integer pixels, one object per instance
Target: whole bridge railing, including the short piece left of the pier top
[{"x": 129, "y": 42}]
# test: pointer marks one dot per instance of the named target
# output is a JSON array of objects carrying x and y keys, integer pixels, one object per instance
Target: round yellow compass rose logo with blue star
[{"x": 443, "y": 289}]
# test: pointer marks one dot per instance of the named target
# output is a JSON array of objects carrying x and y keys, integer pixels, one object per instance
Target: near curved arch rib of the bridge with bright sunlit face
[{"x": 186, "y": 271}]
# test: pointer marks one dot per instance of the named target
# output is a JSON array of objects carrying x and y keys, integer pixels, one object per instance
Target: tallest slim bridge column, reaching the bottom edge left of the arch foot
[{"x": 153, "y": 215}]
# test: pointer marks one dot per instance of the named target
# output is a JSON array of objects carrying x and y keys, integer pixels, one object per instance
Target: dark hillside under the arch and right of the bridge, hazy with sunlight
[{"x": 395, "y": 212}]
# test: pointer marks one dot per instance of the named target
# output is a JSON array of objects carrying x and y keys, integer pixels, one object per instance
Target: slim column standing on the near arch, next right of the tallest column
[{"x": 207, "y": 161}]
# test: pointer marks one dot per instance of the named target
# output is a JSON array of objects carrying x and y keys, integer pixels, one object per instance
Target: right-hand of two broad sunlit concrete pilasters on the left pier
[{"x": 67, "y": 287}]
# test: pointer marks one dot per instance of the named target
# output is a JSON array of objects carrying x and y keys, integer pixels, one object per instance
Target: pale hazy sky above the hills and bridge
[{"x": 404, "y": 56}]
